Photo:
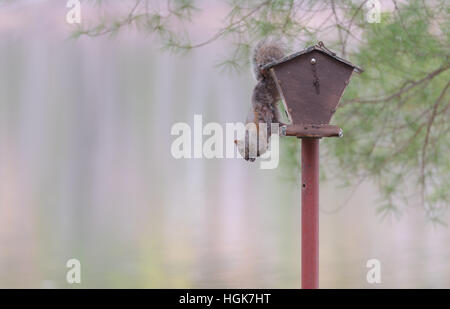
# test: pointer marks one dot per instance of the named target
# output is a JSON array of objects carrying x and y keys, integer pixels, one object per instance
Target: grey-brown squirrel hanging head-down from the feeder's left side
[{"x": 265, "y": 97}]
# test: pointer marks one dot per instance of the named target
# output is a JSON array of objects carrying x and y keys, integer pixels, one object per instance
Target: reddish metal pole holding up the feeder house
[{"x": 310, "y": 213}]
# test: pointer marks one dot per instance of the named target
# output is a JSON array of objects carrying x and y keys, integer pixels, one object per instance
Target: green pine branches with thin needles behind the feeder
[{"x": 395, "y": 115}]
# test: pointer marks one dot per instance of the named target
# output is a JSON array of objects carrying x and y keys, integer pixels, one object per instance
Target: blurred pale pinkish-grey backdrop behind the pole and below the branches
[{"x": 86, "y": 172}]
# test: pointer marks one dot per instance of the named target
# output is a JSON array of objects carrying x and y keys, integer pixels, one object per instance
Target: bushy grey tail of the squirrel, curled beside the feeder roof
[{"x": 265, "y": 52}]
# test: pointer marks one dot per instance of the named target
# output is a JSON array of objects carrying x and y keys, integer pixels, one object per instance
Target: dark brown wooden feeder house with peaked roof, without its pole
[{"x": 311, "y": 83}]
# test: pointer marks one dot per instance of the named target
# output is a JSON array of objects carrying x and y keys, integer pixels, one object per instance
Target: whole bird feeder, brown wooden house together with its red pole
[{"x": 311, "y": 83}]
